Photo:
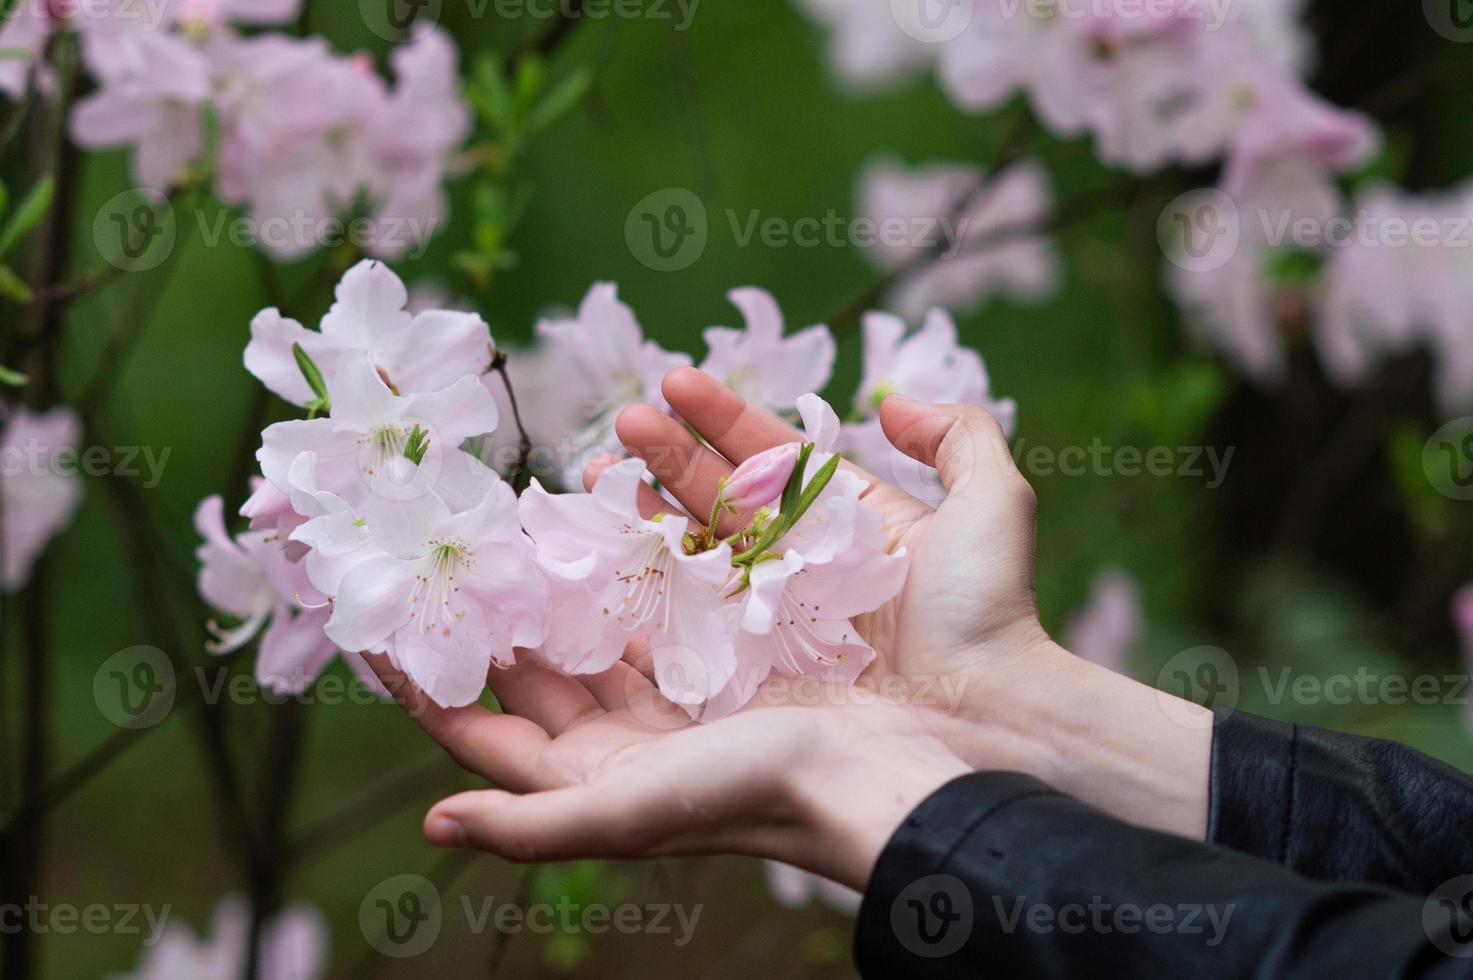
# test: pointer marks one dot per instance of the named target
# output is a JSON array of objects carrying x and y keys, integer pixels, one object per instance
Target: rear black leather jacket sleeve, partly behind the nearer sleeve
[{"x": 1340, "y": 808}]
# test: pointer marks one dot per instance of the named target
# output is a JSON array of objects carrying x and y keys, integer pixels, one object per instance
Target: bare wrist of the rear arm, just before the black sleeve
[{"x": 1136, "y": 754}]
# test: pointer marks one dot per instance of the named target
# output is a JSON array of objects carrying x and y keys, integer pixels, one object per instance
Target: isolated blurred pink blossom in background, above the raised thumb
[{"x": 952, "y": 209}]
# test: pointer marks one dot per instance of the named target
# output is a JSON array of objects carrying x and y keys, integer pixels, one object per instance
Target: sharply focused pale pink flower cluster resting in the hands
[{"x": 379, "y": 527}]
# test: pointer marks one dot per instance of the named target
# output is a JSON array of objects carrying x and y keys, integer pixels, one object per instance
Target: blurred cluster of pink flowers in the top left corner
[{"x": 307, "y": 139}]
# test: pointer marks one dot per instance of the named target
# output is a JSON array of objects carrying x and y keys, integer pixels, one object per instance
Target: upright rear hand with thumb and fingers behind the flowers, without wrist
[{"x": 971, "y": 559}]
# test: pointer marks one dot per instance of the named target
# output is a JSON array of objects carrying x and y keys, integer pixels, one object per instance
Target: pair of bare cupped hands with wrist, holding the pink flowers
[{"x": 605, "y": 767}]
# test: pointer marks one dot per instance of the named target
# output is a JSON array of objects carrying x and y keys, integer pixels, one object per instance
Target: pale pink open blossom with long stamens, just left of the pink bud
[{"x": 616, "y": 575}]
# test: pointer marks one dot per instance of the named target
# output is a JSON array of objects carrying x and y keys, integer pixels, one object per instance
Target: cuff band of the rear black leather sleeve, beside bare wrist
[{"x": 1251, "y": 791}]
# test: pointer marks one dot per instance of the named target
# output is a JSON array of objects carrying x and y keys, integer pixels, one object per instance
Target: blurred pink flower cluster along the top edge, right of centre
[{"x": 1153, "y": 83}]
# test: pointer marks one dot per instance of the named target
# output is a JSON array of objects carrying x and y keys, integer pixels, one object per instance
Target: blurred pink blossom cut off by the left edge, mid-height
[{"x": 39, "y": 494}]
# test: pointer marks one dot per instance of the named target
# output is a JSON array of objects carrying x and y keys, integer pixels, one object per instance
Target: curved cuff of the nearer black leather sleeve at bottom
[{"x": 915, "y": 916}]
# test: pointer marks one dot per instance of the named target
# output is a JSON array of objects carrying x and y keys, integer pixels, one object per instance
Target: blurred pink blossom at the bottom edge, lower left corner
[{"x": 294, "y": 947}]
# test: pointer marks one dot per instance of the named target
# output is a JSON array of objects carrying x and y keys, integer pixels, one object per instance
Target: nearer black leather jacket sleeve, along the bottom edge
[{"x": 998, "y": 875}]
